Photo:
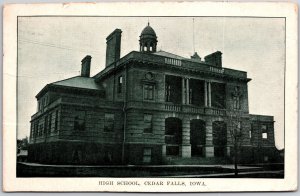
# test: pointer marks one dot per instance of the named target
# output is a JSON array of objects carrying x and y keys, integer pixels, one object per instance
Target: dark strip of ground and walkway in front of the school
[{"x": 184, "y": 171}]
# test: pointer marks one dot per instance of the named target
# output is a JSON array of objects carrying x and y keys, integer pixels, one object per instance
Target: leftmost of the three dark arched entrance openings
[{"x": 173, "y": 135}]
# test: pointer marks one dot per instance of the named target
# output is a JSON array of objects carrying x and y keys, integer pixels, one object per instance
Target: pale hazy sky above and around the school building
[{"x": 51, "y": 49}]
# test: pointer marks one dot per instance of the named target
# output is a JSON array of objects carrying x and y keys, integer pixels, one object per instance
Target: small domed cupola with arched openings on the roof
[{"x": 148, "y": 40}]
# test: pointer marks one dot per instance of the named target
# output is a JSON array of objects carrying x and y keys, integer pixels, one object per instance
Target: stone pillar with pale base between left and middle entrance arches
[{"x": 185, "y": 147}]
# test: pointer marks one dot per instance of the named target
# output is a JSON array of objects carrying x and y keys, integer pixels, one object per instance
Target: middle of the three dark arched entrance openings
[{"x": 197, "y": 137}]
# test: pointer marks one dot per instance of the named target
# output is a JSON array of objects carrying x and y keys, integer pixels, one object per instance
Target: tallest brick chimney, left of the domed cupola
[{"x": 113, "y": 47}]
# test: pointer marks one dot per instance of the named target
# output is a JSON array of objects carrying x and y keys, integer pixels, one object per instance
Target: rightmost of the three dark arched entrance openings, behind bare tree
[{"x": 219, "y": 138}]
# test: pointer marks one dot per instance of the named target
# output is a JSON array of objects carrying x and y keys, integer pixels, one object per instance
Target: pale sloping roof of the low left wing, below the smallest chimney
[{"x": 79, "y": 82}]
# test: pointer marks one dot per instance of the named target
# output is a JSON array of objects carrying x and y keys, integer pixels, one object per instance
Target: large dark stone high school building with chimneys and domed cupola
[{"x": 150, "y": 107}]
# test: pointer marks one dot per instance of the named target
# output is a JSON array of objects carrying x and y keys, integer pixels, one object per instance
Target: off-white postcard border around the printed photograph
[{"x": 10, "y": 13}]
